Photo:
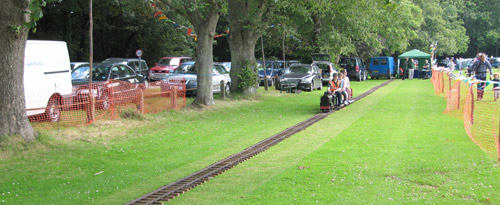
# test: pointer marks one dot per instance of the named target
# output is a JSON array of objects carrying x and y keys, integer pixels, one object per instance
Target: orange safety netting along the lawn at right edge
[{"x": 481, "y": 117}]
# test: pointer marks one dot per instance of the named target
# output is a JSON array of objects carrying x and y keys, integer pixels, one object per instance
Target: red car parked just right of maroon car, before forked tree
[{"x": 166, "y": 66}]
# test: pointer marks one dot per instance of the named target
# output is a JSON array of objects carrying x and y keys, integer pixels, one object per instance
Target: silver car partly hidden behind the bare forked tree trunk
[{"x": 188, "y": 72}]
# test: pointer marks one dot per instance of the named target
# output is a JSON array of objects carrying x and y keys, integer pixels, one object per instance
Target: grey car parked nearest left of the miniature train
[{"x": 304, "y": 76}]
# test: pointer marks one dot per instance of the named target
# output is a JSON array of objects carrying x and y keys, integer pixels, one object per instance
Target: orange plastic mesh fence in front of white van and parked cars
[{"x": 110, "y": 100}]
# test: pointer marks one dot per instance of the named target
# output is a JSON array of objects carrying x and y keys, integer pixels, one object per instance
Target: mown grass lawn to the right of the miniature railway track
[{"x": 394, "y": 146}]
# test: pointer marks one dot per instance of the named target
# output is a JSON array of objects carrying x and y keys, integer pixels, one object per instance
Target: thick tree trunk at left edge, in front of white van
[{"x": 13, "y": 118}]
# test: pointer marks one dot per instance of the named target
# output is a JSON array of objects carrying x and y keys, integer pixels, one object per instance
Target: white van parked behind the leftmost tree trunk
[{"x": 47, "y": 78}]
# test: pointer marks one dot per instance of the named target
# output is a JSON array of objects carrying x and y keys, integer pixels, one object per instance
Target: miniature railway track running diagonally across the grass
[{"x": 180, "y": 186}]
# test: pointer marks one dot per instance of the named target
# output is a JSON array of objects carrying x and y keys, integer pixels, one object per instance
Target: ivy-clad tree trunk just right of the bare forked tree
[{"x": 242, "y": 39}]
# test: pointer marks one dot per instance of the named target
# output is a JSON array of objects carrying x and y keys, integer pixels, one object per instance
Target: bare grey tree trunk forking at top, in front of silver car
[{"x": 203, "y": 15}]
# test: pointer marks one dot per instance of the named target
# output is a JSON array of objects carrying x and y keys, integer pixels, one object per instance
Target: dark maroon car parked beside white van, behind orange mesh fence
[{"x": 109, "y": 81}]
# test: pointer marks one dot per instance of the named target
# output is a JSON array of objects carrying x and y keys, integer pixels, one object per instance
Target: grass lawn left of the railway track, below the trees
[{"x": 113, "y": 162}]
